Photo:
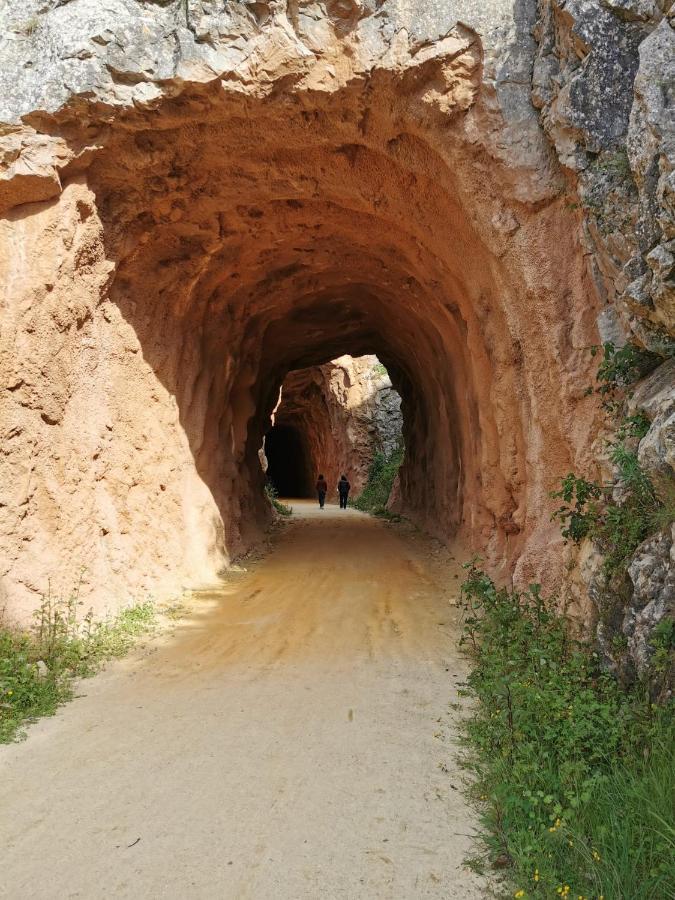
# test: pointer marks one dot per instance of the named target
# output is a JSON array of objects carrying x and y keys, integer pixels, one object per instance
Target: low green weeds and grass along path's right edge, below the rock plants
[{"x": 574, "y": 777}]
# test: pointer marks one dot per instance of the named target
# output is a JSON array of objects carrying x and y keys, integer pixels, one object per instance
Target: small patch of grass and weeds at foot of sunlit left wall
[{"x": 37, "y": 668}]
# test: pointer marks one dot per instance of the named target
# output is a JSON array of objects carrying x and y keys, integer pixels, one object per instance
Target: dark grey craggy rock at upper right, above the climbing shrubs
[{"x": 604, "y": 79}]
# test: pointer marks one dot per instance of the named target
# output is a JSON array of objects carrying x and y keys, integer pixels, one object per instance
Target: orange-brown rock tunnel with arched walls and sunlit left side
[{"x": 206, "y": 244}]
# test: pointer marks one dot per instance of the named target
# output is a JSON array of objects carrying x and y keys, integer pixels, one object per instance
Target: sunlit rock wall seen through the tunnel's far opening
[{"x": 343, "y": 413}]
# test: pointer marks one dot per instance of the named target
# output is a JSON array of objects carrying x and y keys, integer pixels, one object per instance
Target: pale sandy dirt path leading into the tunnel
[{"x": 288, "y": 740}]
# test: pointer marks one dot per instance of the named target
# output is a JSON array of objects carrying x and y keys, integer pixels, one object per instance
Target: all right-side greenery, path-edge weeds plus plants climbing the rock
[{"x": 575, "y": 768}]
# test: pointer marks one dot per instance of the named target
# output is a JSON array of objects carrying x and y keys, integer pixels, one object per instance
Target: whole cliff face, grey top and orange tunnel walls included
[{"x": 201, "y": 197}]
